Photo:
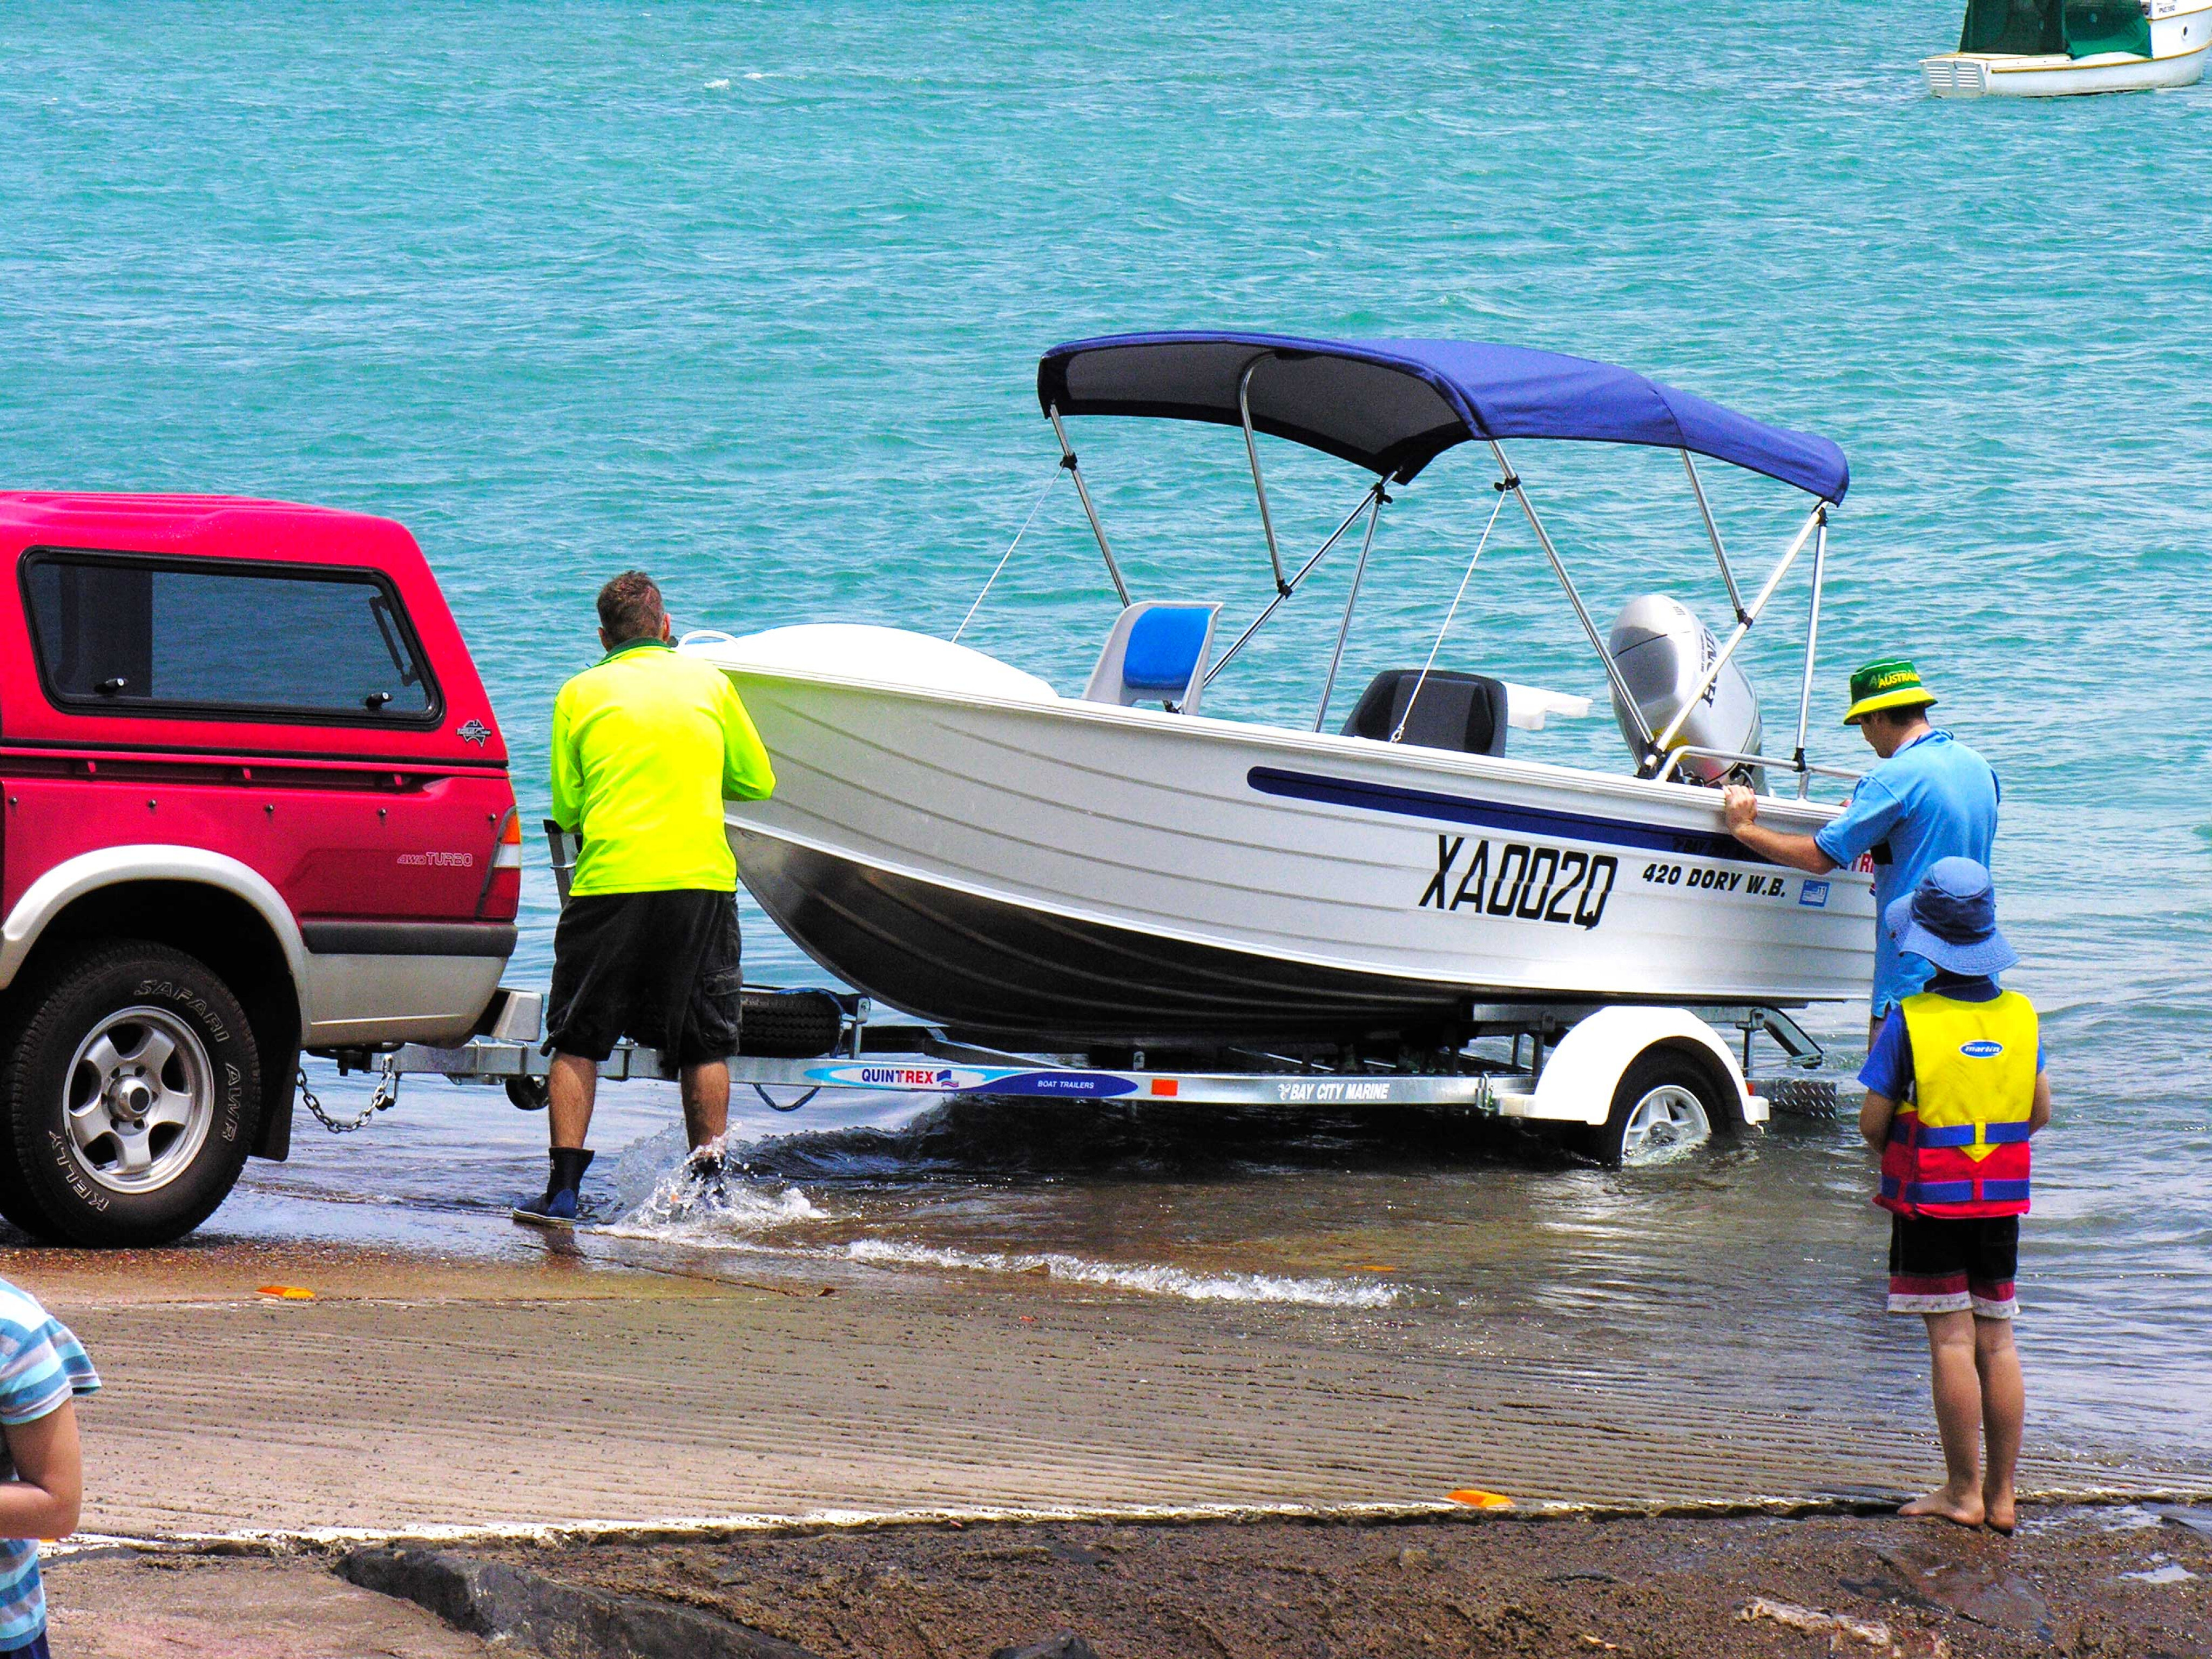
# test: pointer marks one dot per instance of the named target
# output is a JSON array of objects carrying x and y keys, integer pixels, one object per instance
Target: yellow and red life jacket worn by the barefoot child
[{"x": 1961, "y": 1147}]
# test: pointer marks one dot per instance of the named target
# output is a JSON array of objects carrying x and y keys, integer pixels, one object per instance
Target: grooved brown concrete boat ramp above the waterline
[{"x": 609, "y": 1384}]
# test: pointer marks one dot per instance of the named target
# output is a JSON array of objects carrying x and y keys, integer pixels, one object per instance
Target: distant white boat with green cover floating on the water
[{"x": 2065, "y": 48}]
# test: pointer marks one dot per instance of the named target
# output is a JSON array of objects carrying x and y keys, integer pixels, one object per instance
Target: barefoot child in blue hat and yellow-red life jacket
[{"x": 1954, "y": 1092}]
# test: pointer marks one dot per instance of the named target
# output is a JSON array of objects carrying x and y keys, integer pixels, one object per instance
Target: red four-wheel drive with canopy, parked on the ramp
[{"x": 255, "y": 804}]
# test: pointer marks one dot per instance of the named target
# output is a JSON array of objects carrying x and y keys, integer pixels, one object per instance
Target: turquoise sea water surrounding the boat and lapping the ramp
[{"x": 751, "y": 295}]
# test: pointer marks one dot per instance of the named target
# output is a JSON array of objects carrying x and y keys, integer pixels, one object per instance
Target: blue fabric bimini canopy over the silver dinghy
[{"x": 1397, "y": 406}]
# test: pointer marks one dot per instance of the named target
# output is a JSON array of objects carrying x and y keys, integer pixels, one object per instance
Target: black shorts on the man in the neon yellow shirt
[{"x": 656, "y": 968}]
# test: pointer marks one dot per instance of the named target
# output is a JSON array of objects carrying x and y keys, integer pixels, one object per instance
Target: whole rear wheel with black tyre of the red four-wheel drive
[{"x": 127, "y": 1100}]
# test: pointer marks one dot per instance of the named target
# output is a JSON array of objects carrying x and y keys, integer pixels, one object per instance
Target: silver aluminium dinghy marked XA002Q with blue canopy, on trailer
[{"x": 974, "y": 848}]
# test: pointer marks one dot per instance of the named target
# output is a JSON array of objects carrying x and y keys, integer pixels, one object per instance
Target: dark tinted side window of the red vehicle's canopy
[{"x": 143, "y": 634}]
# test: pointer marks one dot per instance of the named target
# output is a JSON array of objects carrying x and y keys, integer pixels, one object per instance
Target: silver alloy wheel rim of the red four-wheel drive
[{"x": 138, "y": 1100}]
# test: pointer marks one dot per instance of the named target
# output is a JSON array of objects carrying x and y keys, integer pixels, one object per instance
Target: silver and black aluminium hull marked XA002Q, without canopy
[{"x": 1067, "y": 868}]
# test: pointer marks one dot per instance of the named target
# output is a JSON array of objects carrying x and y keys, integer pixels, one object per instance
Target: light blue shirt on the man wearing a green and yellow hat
[{"x": 1932, "y": 800}]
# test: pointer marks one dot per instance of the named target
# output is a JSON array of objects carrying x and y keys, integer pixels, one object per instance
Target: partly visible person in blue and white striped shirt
[{"x": 43, "y": 1370}]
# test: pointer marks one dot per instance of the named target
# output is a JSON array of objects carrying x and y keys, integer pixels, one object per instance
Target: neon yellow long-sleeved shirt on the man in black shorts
[{"x": 647, "y": 747}]
